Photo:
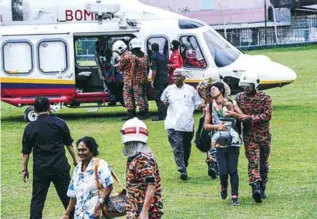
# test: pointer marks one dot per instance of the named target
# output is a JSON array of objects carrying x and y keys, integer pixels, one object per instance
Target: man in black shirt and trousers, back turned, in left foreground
[{"x": 47, "y": 137}]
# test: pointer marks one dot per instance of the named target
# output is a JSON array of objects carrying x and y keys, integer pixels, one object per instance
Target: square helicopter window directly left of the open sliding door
[{"x": 52, "y": 56}]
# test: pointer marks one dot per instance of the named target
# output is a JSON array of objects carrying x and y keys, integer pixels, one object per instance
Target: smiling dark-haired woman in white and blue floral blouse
[{"x": 83, "y": 189}]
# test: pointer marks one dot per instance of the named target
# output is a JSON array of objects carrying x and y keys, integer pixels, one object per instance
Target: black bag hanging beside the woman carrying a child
[{"x": 202, "y": 138}]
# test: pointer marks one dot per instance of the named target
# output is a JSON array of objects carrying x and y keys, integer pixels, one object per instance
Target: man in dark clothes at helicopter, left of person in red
[{"x": 159, "y": 79}]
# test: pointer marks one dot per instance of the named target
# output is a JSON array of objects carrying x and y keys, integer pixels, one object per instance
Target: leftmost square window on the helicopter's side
[{"x": 13, "y": 53}]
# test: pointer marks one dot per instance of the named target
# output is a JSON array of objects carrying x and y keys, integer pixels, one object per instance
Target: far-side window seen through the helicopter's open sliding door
[{"x": 85, "y": 52}]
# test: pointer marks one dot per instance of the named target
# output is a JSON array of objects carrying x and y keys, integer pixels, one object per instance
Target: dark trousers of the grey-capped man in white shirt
[{"x": 181, "y": 144}]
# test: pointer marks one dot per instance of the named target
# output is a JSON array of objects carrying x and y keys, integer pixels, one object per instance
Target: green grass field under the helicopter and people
[{"x": 292, "y": 188}]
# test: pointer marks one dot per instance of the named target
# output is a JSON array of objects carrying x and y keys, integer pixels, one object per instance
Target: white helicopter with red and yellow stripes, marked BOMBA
[{"x": 48, "y": 47}]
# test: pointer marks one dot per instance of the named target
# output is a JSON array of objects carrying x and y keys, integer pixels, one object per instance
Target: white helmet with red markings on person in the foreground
[{"x": 134, "y": 130}]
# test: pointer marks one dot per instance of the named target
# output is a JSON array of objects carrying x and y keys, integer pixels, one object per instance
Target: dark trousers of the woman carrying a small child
[{"x": 227, "y": 159}]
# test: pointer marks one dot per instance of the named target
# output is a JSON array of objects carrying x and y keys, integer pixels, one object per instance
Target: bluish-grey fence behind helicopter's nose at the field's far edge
[{"x": 303, "y": 29}]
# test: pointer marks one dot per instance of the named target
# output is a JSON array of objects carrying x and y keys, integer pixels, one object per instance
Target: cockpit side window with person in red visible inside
[{"x": 191, "y": 52}]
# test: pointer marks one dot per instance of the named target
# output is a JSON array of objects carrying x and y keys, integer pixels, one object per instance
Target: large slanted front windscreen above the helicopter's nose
[{"x": 224, "y": 54}]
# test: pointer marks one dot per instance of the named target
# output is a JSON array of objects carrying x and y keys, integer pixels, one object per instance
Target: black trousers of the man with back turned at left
[{"x": 41, "y": 184}]
